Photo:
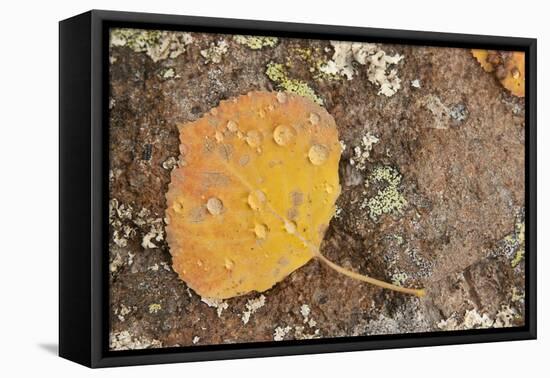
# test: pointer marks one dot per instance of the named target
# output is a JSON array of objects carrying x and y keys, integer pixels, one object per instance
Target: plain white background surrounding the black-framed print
[{"x": 29, "y": 187}]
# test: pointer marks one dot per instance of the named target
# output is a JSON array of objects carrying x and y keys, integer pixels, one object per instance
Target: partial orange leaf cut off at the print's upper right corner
[{"x": 509, "y": 68}]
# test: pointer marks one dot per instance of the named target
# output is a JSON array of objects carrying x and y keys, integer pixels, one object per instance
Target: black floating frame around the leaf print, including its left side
[{"x": 83, "y": 195}]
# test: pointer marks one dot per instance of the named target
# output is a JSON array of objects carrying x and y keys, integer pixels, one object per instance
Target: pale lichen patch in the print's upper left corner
[{"x": 158, "y": 45}]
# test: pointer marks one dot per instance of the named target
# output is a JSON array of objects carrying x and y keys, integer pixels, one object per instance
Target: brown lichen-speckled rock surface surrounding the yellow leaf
[{"x": 432, "y": 177}]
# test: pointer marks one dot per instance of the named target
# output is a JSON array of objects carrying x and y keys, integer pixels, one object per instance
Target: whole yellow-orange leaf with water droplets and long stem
[{"x": 254, "y": 193}]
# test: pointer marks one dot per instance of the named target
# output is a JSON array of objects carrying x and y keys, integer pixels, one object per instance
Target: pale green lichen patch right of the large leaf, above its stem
[{"x": 388, "y": 200}]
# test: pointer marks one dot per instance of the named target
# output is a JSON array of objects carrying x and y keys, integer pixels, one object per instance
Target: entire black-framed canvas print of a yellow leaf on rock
[{"x": 234, "y": 188}]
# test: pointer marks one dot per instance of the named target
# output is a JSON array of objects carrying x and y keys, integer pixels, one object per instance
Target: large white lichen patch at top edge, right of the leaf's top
[{"x": 380, "y": 65}]
